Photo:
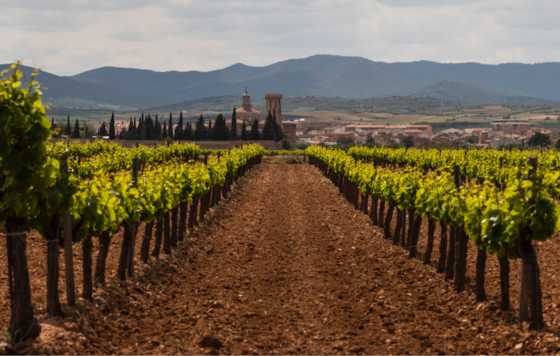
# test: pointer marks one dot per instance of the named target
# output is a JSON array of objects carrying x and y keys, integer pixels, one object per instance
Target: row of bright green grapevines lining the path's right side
[{"x": 501, "y": 220}]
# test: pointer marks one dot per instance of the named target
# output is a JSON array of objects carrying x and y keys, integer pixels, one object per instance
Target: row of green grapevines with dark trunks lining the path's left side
[{"x": 169, "y": 195}]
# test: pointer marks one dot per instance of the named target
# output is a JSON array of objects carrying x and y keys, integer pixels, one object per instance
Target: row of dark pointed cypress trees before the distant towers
[{"x": 148, "y": 128}]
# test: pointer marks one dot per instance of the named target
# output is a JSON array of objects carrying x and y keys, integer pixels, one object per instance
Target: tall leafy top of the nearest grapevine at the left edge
[{"x": 25, "y": 168}]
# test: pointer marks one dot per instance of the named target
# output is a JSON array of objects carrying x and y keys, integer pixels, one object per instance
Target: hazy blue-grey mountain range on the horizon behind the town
[{"x": 318, "y": 76}]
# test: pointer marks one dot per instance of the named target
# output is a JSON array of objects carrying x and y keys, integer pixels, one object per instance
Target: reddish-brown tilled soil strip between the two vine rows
[{"x": 287, "y": 266}]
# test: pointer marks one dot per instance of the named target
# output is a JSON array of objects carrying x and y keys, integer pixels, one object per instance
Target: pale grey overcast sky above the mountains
[{"x": 69, "y": 36}]
